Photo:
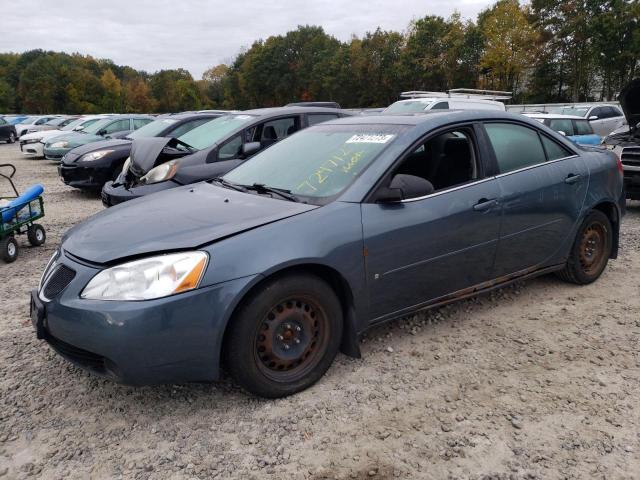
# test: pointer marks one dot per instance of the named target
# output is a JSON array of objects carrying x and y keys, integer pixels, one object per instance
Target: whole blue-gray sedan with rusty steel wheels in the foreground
[{"x": 295, "y": 253}]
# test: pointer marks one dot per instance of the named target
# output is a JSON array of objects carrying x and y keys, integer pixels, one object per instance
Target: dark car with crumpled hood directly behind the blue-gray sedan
[{"x": 209, "y": 151}]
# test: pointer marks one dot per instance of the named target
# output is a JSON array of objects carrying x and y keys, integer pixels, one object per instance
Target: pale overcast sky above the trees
[{"x": 196, "y": 34}]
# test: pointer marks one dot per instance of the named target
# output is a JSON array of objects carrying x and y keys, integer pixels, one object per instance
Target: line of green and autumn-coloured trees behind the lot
[{"x": 543, "y": 51}]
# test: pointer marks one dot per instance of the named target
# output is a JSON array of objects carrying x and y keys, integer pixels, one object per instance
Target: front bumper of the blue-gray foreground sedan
[{"x": 167, "y": 340}]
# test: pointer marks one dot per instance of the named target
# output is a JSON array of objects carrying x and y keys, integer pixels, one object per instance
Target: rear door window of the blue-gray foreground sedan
[{"x": 515, "y": 146}]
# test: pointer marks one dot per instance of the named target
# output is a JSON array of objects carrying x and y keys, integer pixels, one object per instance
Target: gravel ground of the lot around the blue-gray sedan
[{"x": 539, "y": 380}]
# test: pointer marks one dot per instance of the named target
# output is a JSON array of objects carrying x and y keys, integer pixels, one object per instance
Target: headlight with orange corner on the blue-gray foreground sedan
[{"x": 152, "y": 277}]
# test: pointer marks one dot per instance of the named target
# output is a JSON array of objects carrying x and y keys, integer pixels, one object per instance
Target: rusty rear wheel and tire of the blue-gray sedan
[{"x": 591, "y": 250}]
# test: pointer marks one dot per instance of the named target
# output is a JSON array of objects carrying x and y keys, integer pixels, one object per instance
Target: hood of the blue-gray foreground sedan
[{"x": 177, "y": 219}]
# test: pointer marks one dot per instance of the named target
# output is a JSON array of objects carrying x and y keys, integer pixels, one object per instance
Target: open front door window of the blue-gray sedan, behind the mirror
[{"x": 446, "y": 160}]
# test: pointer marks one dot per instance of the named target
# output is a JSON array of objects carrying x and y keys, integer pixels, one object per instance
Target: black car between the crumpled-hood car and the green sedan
[{"x": 90, "y": 166}]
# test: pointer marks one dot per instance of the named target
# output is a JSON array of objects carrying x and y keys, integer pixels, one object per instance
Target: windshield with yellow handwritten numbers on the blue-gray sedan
[{"x": 318, "y": 162}]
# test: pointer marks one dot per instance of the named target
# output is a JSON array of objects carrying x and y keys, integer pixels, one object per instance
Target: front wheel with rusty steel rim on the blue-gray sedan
[{"x": 284, "y": 336}]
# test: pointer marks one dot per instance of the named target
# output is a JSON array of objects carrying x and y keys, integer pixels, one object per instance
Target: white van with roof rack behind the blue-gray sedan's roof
[{"x": 453, "y": 100}]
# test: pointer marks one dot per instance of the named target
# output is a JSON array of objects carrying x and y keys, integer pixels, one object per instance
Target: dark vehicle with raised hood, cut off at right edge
[{"x": 625, "y": 141}]
